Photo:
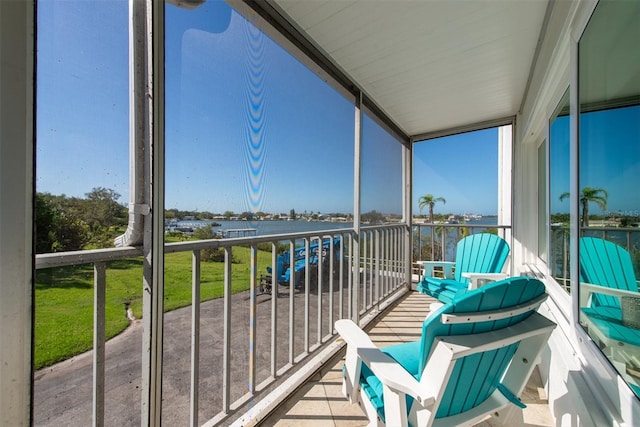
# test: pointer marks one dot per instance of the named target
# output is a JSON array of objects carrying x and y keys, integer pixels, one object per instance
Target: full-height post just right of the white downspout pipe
[{"x": 153, "y": 245}]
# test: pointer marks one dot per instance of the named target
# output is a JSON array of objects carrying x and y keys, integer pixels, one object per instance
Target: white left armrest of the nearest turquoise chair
[{"x": 388, "y": 371}]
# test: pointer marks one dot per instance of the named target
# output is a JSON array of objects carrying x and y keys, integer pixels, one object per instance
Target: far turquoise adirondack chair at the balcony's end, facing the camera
[{"x": 478, "y": 257}]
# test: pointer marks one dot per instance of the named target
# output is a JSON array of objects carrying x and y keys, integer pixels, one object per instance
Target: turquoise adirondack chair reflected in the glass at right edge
[{"x": 607, "y": 277}]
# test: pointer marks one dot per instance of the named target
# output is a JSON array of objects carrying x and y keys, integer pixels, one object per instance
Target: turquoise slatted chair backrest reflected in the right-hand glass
[{"x": 607, "y": 264}]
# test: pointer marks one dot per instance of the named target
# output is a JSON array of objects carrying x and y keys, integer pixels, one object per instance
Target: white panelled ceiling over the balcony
[{"x": 430, "y": 65}]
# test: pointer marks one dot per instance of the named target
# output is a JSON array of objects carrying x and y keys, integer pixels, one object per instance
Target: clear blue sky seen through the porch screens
[{"x": 248, "y": 127}]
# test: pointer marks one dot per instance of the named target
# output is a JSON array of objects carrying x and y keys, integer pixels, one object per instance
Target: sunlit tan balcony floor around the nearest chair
[{"x": 320, "y": 402}]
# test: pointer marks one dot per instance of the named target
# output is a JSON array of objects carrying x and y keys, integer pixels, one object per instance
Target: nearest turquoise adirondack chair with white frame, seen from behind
[{"x": 474, "y": 358}]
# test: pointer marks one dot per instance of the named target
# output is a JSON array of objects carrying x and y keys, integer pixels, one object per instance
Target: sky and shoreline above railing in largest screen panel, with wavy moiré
[{"x": 251, "y": 133}]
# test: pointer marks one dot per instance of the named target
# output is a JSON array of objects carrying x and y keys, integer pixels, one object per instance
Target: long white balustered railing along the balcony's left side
[{"x": 265, "y": 336}]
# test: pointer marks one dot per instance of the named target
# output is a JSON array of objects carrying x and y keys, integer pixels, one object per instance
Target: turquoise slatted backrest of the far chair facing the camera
[{"x": 480, "y": 253}]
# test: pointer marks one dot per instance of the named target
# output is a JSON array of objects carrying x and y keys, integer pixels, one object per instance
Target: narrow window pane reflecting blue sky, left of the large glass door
[{"x": 558, "y": 190}]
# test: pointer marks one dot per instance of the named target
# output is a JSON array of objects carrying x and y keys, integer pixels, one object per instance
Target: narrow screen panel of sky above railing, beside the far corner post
[{"x": 381, "y": 175}]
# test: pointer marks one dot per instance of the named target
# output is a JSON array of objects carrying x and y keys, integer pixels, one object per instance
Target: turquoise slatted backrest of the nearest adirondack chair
[{"x": 476, "y": 377}]
